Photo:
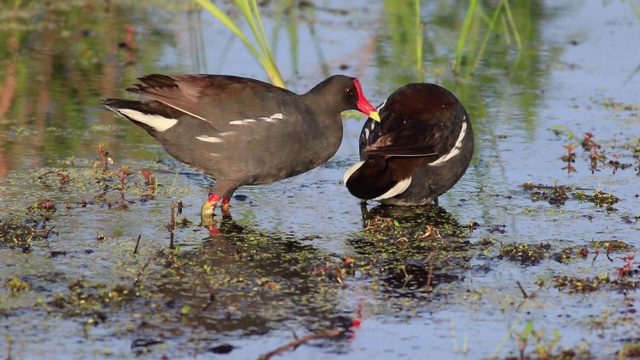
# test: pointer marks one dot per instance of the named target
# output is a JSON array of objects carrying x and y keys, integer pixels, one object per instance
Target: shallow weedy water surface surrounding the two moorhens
[{"x": 278, "y": 268}]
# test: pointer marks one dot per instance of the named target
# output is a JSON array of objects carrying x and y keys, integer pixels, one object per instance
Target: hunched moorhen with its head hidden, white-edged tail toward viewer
[{"x": 421, "y": 147}]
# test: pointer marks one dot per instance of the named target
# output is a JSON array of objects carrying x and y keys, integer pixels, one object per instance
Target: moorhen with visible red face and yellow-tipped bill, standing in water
[{"x": 242, "y": 131}]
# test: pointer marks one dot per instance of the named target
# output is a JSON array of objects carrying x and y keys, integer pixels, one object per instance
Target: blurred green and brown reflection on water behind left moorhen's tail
[{"x": 59, "y": 60}]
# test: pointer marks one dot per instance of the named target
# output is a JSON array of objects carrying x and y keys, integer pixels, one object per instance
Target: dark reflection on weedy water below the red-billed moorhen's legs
[{"x": 243, "y": 281}]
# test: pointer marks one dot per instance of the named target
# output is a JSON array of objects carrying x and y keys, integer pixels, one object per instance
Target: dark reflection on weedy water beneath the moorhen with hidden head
[{"x": 415, "y": 248}]
